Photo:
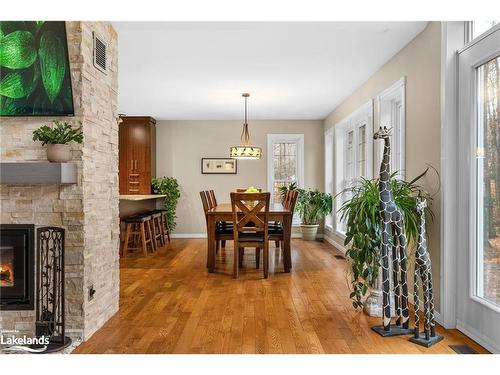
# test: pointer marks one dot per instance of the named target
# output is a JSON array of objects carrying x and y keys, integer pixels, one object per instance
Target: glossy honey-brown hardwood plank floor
[{"x": 169, "y": 303}]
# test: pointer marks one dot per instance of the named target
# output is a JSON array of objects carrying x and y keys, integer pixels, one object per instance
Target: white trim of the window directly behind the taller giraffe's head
[{"x": 396, "y": 90}]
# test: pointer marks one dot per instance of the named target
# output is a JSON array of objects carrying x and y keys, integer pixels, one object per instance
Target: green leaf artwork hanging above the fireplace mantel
[{"x": 35, "y": 77}]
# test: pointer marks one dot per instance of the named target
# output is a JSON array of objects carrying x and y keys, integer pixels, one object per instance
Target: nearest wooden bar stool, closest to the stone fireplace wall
[{"x": 138, "y": 226}]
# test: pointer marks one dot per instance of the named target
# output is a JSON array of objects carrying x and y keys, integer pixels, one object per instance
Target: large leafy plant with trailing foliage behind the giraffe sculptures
[{"x": 360, "y": 212}]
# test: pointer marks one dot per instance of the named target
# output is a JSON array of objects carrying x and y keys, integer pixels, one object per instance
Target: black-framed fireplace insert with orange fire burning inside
[{"x": 16, "y": 266}]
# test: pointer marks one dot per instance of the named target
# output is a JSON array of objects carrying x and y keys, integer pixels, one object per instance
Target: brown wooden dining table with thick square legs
[{"x": 223, "y": 212}]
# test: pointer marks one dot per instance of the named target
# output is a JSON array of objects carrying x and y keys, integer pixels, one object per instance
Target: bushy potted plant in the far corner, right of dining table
[{"x": 312, "y": 206}]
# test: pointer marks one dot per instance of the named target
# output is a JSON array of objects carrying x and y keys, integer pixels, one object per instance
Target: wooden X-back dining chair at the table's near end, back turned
[{"x": 250, "y": 229}]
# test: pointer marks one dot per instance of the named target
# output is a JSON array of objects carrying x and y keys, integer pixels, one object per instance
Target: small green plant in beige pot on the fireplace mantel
[{"x": 57, "y": 138}]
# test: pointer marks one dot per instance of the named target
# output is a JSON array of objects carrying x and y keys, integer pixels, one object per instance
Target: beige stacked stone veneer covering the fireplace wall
[{"x": 87, "y": 210}]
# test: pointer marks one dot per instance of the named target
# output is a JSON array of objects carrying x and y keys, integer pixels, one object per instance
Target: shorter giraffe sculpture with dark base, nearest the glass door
[{"x": 423, "y": 273}]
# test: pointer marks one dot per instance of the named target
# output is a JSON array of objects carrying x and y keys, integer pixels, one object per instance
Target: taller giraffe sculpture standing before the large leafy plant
[{"x": 392, "y": 225}]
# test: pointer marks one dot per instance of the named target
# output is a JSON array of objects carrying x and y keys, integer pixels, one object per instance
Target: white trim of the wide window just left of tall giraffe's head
[{"x": 342, "y": 127}]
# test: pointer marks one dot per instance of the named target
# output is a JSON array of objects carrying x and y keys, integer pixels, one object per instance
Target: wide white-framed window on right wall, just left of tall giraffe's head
[{"x": 352, "y": 155}]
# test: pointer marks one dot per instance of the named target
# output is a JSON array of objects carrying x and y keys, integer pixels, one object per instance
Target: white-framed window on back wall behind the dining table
[{"x": 284, "y": 163}]
